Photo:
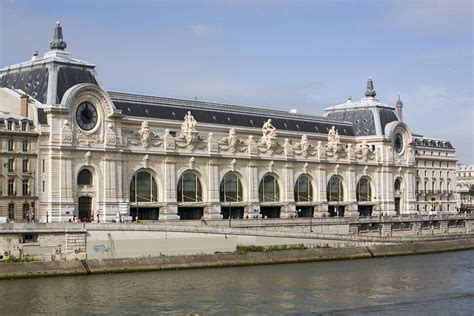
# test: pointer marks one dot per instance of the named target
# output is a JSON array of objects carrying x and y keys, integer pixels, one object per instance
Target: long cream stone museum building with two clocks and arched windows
[{"x": 98, "y": 153}]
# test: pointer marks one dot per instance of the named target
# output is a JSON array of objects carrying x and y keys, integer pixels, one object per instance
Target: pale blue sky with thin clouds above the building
[{"x": 276, "y": 54}]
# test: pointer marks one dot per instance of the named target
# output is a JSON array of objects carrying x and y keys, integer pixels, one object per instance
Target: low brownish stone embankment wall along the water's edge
[{"x": 96, "y": 266}]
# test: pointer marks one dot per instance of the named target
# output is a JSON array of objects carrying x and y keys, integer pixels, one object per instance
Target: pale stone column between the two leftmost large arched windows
[{"x": 169, "y": 211}]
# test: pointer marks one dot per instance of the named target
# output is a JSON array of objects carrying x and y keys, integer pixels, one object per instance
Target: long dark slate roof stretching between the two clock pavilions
[{"x": 214, "y": 113}]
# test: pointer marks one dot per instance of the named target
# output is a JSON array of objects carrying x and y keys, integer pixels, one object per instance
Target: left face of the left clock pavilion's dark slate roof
[{"x": 32, "y": 81}]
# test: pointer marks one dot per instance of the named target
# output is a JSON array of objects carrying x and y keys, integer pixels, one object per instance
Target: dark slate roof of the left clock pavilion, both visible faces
[{"x": 34, "y": 81}]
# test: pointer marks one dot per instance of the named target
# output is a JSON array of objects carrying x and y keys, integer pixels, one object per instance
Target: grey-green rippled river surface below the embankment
[{"x": 439, "y": 284}]
